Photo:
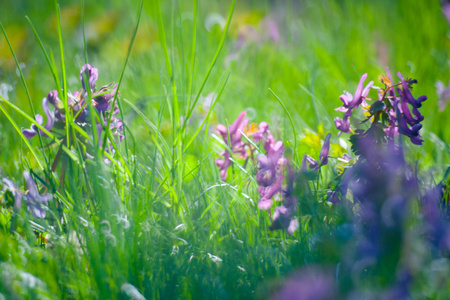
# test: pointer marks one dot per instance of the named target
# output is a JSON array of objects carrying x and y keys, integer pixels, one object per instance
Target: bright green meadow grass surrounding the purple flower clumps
[{"x": 158, "y": 222}]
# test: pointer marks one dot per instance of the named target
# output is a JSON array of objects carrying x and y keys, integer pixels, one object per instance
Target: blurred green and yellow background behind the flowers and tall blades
[{"x": 307, "y": 52}]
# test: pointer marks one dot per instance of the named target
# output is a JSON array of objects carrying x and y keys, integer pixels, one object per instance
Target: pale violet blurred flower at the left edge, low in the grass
[{"x": 35, "y": 202}]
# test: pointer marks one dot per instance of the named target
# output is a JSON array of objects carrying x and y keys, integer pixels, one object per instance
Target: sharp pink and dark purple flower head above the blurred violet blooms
[{"x": 396, "y": 110}]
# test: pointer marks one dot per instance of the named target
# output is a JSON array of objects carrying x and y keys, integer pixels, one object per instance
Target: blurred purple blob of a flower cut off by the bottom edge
[{"x": 310, "y": 283}]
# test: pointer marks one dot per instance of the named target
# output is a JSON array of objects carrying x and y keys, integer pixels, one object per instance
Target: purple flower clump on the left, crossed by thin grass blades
[{"x": 101, "y": 99}]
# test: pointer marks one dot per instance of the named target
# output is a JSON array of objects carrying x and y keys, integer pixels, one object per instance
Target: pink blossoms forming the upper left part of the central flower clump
[{"x": 236, "y": 145}]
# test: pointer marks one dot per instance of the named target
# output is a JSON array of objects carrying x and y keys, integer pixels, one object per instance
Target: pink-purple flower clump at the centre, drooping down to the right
[{"x": 271, "y": 168}]
